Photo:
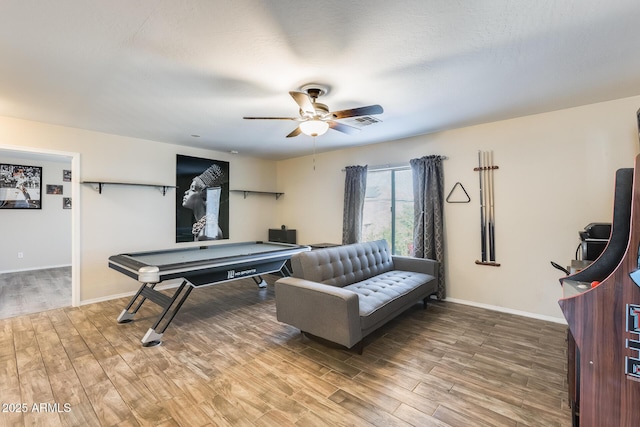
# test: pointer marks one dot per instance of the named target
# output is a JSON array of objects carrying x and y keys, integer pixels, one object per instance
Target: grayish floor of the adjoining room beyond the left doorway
[{"x": 27, "y": 292}]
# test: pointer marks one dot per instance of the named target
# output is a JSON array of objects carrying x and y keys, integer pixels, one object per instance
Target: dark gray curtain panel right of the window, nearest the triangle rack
[{"x": 428, "y": 199}]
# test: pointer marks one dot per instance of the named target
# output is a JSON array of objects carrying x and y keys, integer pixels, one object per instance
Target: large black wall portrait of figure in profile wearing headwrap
[{"x": 202, "y": 199}]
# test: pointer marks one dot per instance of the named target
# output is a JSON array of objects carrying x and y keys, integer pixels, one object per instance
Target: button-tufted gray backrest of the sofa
[{"x": 343, "y": 265}]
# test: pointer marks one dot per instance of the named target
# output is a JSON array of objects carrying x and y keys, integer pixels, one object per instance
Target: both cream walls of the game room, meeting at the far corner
[{"x": 556, "y": 176}]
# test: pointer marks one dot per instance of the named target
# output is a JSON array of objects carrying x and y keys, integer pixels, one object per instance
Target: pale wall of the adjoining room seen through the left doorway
[{"x": 43, "y": 236}]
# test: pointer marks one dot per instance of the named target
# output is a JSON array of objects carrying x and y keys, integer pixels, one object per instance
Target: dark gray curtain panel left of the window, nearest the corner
[{"x": 355, "y": 186}]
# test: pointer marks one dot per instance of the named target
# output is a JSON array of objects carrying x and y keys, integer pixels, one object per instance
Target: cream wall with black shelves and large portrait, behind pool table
[{"x": 127, "y": 219}]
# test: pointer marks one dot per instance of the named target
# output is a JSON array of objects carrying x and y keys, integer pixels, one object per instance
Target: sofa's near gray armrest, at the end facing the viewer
[{"x": 329, "y": 312}]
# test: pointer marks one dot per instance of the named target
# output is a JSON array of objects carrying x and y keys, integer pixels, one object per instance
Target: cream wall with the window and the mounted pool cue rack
[{"x": 556, "y": 175}]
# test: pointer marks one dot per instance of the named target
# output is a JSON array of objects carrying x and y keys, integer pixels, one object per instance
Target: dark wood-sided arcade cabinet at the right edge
[{"x": 604, "y": 324}]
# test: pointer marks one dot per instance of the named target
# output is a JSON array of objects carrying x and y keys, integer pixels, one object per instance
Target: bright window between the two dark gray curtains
[{"x": 388, "y": 209}]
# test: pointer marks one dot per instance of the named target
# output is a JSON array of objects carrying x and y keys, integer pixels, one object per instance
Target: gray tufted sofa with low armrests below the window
[{"x": 344, "y": 293}]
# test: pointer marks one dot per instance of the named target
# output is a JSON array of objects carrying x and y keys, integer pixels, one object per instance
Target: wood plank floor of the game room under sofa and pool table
[{"x": 226, "y": 361}]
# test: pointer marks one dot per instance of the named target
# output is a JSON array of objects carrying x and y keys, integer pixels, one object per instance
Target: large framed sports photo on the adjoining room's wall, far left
[{"x": 20, "y": 187}]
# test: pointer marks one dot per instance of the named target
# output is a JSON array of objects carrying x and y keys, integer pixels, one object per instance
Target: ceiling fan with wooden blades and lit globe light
[{"x": 315, "y": 118}]
